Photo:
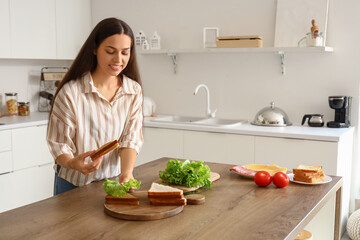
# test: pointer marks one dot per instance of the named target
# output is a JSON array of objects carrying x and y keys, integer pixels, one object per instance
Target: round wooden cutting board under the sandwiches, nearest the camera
[{"x": 143, "y": 211}]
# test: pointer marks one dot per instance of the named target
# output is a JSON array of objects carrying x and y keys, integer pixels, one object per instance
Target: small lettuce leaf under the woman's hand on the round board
[{"x": 115, "y": 189}]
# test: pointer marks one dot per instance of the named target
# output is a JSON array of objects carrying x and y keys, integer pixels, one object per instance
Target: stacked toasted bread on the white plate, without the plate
[{"x": 308, "y": 173}]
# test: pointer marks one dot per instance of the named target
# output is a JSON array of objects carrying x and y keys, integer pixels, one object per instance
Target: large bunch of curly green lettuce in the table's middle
[{"x": 188, "y": 174}]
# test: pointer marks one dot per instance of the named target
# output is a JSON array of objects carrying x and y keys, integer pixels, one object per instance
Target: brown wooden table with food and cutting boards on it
[{"x": 235, "y": 208}]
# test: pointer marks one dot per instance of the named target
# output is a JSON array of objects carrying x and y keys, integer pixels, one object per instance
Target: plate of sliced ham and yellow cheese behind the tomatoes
[{"x": 249, "y": 171}]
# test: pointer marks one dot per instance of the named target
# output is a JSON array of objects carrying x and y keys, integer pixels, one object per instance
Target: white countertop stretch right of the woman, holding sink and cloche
[{"x": 297, "y": 132}]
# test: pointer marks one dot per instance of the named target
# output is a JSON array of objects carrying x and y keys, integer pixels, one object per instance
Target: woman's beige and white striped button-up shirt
[{"x": 83, "y": 120}]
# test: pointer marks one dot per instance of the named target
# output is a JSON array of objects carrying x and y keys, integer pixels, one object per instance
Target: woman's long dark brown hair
[{"x": 86, "y": 60}]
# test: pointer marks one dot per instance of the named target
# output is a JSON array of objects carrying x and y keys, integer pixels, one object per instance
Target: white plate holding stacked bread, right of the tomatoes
[{"x": 309, "y": 174}]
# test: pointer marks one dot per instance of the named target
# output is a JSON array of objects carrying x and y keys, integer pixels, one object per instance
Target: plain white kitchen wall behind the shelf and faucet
[{"x": 241, "y": 84}]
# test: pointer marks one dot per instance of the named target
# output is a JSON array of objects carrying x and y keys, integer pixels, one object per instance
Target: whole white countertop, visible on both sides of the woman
[{"x": 298, "y": 132}]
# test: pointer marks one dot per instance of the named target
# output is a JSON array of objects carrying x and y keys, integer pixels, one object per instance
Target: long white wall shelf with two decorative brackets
[{"x": 281, "y": 51}]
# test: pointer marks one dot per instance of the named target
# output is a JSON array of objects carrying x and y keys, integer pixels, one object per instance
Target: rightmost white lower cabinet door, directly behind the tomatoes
[{"x": 292, "y": 152}]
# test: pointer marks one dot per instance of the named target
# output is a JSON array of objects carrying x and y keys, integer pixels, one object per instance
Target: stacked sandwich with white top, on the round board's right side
[{"x": 161, "y": 195}]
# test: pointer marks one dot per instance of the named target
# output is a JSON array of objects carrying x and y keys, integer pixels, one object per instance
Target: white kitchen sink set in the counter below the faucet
[{"x": 198, "y": 121}]
